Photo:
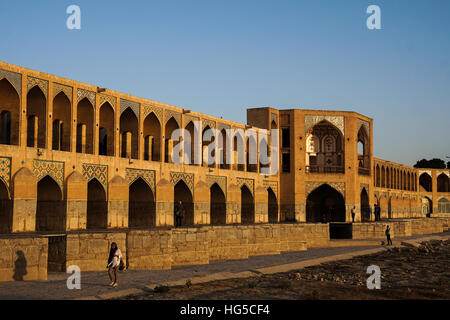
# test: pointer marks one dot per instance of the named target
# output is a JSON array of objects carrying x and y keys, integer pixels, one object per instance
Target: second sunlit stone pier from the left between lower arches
[{"x": 76, "y": 197}]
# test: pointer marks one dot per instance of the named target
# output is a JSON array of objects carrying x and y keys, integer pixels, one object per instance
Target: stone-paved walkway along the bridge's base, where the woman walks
[{"x": 94, "y": 285}]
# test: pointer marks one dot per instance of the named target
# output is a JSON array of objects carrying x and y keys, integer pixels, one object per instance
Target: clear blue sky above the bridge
[{"x": 220, "y": 57}]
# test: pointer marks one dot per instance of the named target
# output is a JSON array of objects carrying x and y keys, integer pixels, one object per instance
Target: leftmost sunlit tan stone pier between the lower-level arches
[{"x": 24, "y": 190}]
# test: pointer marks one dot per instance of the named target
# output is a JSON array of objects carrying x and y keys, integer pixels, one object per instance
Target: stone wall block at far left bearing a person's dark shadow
[{"x": 23, "y": 258}]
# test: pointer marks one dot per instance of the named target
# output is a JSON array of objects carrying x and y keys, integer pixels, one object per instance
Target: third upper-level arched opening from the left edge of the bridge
[{"x": 61, "y": 123}]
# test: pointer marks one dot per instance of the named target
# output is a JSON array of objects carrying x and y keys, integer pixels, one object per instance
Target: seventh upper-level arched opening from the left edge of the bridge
[{"x": 152, "y": 138}]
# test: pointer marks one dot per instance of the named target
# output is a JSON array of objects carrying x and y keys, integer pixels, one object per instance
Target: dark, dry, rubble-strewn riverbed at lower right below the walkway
[{"x": 406, "y": 273}]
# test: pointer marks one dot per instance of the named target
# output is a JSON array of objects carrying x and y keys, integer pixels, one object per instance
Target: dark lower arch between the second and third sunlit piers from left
[{"x": 97, "y": 207}]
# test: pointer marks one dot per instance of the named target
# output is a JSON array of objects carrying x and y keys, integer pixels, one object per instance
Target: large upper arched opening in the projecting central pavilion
[{"x": 324, "y": 149}]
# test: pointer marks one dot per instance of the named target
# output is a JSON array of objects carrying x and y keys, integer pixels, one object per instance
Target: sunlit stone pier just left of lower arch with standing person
[{"x": 164, "y": 203}]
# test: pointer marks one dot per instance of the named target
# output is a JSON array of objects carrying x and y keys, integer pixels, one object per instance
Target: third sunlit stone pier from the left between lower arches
[{"x": 118, "y": 192}]
